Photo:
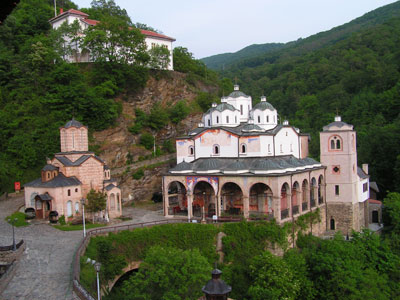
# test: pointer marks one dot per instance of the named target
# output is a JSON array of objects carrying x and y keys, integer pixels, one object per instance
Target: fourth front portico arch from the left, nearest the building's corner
[{"x": 261, "y": 200}]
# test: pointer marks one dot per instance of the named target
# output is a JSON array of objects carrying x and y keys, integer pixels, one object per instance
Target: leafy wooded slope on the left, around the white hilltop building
[{"x": 39, "y": 92}]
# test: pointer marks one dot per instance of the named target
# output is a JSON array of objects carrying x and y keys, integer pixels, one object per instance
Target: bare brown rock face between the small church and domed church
[{"x": 119, "y": 148}]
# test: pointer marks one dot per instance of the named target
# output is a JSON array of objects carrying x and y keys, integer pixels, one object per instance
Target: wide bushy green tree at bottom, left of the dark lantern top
[{"x": 170, "y": 274}]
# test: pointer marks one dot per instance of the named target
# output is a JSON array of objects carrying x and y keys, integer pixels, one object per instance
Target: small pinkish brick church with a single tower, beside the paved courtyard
[{"x": 70, "y": 175}]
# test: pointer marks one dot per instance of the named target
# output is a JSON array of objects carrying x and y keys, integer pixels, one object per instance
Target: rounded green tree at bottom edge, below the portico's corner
[{"x": 272, "y": 278}]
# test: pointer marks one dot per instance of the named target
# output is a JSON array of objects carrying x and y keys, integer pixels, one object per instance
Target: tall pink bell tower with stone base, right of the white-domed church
[{"x": 339, "y": 155}]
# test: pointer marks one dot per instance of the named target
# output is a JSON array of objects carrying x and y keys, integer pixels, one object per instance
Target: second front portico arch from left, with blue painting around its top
[{"x": 204, "y": 200}]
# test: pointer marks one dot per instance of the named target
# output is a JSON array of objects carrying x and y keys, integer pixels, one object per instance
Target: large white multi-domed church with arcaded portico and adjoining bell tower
[{"x": 241, "y": 161}]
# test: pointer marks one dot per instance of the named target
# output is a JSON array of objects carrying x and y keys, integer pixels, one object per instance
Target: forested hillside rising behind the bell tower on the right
[{"x": 358, "y": 77}]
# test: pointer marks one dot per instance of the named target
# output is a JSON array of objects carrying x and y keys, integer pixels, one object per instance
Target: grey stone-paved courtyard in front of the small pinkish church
[{"x": 45, "y": 270}]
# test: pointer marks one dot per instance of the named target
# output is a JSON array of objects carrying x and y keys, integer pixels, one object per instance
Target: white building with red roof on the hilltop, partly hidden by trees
[{"x": 151, "y": 38}]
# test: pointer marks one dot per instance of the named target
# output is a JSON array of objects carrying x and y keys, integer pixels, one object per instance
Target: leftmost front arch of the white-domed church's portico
[{"x": 177, "y": 199}]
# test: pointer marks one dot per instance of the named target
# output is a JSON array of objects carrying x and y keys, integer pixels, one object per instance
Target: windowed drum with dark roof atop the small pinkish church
[{"x": 74, "y": 137}]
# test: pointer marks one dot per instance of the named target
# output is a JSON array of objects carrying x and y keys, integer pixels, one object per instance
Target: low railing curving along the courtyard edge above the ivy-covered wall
[{"x": 78, "y": 288}]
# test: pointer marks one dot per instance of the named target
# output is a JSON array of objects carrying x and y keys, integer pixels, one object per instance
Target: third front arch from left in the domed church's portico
[{"x": 232, "y": 199}]
